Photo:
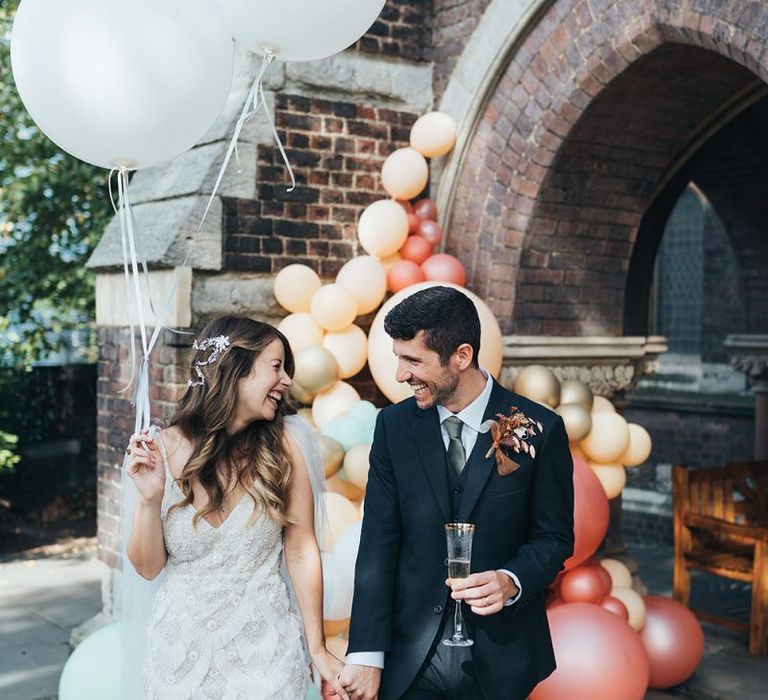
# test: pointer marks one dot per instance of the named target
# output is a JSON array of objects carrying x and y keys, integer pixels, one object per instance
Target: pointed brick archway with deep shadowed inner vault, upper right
[{"x": 592, "y": 116}]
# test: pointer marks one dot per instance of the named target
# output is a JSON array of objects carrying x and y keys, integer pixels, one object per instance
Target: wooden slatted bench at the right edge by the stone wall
[{"x": 721, "y": 527}]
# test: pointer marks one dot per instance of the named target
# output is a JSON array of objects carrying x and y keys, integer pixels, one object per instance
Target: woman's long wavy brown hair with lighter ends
[{"x": 256, "y": 455}]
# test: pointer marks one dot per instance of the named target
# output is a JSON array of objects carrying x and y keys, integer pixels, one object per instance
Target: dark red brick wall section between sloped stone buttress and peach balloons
[{"x": 336, "y": 150}]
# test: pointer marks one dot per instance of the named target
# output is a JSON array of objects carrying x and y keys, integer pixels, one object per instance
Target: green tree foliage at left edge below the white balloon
[{"x": 53, "y": 208}]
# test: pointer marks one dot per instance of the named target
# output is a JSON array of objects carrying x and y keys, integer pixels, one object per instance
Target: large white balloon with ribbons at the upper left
[{"x": 118, "y": 83}]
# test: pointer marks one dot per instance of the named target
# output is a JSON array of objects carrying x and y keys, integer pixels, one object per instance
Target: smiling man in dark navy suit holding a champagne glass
[{"x": 429, "y": 466}]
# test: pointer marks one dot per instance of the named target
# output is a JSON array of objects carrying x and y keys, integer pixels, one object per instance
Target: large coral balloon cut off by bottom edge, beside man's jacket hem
[{"x": 599, "y": 657}]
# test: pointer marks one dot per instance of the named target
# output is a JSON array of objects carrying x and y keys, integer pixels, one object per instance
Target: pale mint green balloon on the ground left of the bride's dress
[{"x": 92, "y": 671}]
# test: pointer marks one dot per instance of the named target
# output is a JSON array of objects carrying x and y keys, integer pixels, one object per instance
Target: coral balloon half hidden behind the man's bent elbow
[{"x": 590, "y": 512}]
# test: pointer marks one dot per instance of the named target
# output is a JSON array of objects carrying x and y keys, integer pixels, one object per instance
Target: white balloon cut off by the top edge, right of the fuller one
[{"x": 299, "y": 30}]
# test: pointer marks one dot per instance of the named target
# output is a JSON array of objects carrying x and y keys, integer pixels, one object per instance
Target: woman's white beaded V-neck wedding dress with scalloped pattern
[{"x": 222, "y": 624}]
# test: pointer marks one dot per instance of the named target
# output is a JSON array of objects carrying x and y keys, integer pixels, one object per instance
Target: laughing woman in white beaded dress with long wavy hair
[{"x": 224, "y": 496}]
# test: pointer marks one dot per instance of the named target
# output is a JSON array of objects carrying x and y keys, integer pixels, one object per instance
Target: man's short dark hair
[{"x": 447, "y": 316}]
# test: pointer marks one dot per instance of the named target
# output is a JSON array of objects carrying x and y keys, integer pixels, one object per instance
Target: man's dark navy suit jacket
[{"x": 524, "y": 523}]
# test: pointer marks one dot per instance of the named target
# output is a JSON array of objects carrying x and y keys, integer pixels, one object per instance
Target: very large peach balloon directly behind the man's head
[{"x": 383, "y": 363}]
